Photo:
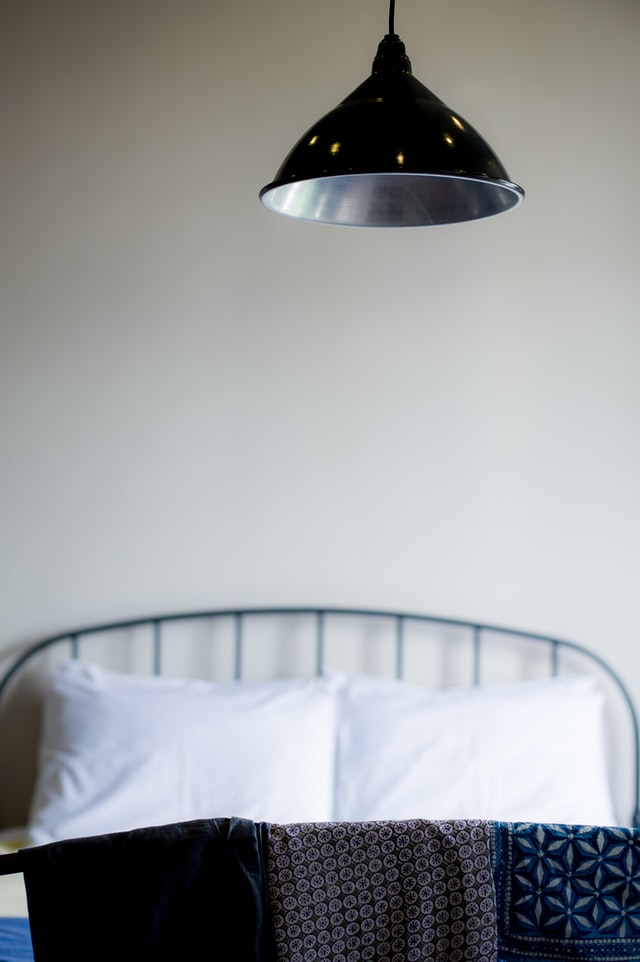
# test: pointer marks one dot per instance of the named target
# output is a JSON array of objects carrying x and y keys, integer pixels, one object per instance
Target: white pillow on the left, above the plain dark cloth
[{"x": 124, "y": 751}]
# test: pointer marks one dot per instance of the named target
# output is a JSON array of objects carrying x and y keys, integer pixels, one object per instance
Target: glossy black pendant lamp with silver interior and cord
[{"x": 391, "y": 154}]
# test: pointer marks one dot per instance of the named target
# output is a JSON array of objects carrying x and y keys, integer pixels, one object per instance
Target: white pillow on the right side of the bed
[{"x": 528, "y": 751}]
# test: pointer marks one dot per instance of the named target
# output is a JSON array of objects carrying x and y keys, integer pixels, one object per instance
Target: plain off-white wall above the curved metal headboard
[{"x": 202, "y": 403}]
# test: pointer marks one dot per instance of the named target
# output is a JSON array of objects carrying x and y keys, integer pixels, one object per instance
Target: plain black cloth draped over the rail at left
[{"x": 184, "y": 891}]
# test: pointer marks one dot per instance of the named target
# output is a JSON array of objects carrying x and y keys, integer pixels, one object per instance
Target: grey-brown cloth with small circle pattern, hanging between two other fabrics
[{"x": 412, "y": 891}]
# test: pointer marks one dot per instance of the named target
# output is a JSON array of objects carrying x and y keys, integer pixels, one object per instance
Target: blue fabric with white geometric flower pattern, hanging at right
[{"x": 567, "y": 892}]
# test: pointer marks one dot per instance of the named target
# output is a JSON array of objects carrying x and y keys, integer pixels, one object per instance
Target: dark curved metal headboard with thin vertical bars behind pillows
[{"x": 477, "y": 631}]
